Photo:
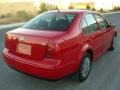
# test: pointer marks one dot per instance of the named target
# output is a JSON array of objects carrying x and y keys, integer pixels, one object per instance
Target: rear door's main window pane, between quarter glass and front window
[{"x": 91, "y": 22}]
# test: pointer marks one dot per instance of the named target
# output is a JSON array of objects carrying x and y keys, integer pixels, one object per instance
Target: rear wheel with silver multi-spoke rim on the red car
[{"x": 84, "y": 68}]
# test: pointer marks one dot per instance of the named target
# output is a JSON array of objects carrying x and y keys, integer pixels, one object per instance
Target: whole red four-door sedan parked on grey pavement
[{"x": 58, "y": 43}]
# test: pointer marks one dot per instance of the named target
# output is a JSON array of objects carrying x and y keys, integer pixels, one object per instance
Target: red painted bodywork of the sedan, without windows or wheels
[{"x": 54, "y": 54}]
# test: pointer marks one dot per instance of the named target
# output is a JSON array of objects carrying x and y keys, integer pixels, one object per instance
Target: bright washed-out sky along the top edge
[{"x": 98, "y": 3}]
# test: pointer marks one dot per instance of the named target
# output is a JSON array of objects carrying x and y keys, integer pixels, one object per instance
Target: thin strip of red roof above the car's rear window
[{"x": 73, "y": 11}]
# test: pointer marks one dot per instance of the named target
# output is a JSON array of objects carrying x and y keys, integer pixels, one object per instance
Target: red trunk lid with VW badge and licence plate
[{"x": 31, "y": 44}]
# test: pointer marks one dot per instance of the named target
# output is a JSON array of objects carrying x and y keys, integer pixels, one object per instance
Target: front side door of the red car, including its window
[{"x": 105, "y": 29}]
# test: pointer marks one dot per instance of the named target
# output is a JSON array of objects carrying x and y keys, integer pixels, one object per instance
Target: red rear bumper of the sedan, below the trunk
[{"x": 47, "y": 68}]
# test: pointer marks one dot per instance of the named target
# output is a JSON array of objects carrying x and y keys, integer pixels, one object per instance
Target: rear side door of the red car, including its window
[{"x": 93, "y": 34}]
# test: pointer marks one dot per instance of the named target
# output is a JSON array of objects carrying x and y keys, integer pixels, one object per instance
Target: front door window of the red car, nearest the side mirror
[{"x": 101, "y": 21}]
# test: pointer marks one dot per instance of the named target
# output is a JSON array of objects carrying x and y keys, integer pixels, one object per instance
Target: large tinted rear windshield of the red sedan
[{"x": 50, "y": 21}]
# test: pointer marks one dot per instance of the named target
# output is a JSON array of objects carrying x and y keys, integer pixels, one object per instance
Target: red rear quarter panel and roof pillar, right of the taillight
[{"x": 71, "y": 44}]
